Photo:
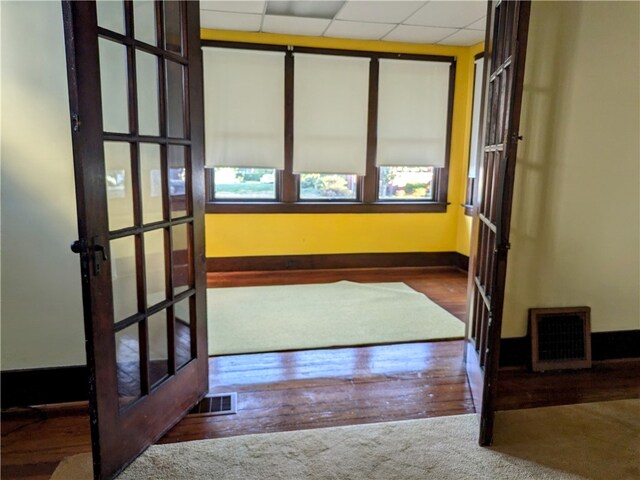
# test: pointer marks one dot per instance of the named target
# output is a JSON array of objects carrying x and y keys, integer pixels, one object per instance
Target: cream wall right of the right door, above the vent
[{"x": 576, "y": 217}]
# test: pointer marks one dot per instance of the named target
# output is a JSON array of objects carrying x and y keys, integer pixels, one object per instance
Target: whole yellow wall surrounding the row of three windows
[{"x": 282, "y": 234}]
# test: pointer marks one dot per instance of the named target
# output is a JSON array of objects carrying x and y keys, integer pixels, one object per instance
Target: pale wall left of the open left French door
[{"x": 41, "y": 295}]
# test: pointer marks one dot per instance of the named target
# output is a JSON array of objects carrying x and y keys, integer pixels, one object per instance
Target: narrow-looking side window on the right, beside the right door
[{"x": 475, "y": 149}]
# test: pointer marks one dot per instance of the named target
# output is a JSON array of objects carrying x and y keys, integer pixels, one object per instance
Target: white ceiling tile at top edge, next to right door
[{"x": 448, "y": 14}]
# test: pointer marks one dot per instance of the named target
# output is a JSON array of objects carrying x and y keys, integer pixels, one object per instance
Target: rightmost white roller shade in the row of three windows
[{"x": 413, "y": 99}]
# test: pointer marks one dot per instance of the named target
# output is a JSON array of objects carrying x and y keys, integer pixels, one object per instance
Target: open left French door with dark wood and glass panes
[{"x": 135, "y": 84}]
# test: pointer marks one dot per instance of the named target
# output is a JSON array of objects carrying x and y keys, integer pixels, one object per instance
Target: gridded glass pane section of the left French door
[{"x": 149, "y": 197}]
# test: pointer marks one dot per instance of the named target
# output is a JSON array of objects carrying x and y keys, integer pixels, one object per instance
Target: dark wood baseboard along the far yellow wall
[{"x": 334, "y": 261}]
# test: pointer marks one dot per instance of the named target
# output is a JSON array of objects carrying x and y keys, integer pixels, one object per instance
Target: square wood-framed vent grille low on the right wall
[{"x": 560, "y": 338}]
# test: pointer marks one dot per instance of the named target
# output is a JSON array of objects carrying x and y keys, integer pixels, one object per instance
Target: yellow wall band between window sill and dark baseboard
[{"x": 299, "y": 234}]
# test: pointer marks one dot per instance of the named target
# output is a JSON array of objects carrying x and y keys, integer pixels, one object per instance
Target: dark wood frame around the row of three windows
[{"x": 367, "y": 201}]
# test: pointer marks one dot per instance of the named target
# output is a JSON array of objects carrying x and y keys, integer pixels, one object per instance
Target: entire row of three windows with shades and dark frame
[{"x": 292, "y": 129}]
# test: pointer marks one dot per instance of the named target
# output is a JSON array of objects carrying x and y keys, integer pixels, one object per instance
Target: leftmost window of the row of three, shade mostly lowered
[{"x": 244, "y": 129}]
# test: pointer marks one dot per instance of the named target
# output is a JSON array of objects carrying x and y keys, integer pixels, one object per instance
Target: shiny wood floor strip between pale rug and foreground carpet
[{"x": 333, "y": 387}]
